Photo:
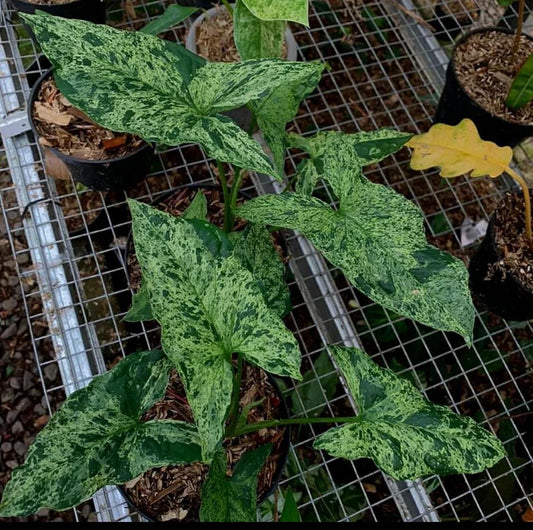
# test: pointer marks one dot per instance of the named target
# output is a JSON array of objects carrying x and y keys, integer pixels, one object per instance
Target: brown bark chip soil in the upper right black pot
[{"x": 485, "y": 68}]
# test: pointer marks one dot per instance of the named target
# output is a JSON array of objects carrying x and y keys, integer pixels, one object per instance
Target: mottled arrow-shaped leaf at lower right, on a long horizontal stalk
[{"x": 407, "y": 436}]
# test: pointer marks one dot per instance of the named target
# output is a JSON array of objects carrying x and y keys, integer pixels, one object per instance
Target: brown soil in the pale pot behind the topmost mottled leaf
[{"x": 214, "y": 39}]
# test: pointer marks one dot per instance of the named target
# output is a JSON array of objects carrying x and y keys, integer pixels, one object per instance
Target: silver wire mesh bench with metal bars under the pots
[{"x": 386, "y": 67}]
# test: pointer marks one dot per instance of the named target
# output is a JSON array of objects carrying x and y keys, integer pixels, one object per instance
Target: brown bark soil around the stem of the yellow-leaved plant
[{"x": 510, "y": 238}]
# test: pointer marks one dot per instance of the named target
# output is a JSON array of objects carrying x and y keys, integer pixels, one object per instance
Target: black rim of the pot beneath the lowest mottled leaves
[{"x": 279, "y": 454}]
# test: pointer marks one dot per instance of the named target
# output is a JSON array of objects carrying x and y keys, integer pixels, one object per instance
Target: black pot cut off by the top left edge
[{"x": 91, "y": 10}]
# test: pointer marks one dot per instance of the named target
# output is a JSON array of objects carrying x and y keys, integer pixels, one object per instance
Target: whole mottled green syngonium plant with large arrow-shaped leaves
[{"x": 219, "y": 294}]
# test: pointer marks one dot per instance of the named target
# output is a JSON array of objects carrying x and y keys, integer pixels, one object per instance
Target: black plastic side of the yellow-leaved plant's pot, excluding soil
[{"x": 495, "y": 288}]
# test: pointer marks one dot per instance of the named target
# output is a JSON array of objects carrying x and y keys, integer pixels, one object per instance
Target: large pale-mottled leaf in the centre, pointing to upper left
[{"x": 209, "y": 307}]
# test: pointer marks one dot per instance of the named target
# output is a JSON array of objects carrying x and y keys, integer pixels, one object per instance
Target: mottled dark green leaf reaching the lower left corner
[{"x": 97, "y": 439}]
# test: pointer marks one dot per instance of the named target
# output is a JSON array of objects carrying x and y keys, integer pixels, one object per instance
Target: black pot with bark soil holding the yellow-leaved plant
[{"x": 501, "y": 264}]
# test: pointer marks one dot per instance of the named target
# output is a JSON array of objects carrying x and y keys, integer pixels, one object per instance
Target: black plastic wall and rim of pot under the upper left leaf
[{"x": 111, "y": 174}]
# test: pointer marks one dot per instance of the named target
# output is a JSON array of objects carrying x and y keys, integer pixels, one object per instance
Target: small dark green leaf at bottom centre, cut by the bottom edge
[{"x": 233, "y": 499}]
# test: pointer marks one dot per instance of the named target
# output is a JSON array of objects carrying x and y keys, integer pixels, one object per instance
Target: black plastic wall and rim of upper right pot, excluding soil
[{"x": 455, "y": 105}]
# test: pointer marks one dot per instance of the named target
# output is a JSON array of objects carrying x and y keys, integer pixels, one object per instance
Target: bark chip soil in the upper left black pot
[{"x": 67, "y": 129}]
